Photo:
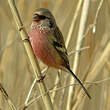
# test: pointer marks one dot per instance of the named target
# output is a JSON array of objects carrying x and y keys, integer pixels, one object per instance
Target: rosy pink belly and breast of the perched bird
[{"x": 45, "y": 51}]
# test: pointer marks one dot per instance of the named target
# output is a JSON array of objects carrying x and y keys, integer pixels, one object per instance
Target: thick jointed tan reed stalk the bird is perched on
[{"x": 34, "y": 62}]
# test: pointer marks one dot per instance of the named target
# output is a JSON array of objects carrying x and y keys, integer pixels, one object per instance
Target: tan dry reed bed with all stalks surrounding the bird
[{"x": 85, "y": 26}]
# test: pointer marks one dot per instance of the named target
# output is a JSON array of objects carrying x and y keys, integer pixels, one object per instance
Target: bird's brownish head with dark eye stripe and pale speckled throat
[{"x": 43, "y": 18}]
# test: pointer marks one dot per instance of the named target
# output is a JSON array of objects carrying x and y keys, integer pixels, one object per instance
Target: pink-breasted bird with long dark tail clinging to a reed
[{"x": 48, "y": 44}]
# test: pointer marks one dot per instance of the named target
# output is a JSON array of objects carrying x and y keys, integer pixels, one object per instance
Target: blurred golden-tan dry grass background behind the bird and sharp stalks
[{"x": 16, "y": 74}]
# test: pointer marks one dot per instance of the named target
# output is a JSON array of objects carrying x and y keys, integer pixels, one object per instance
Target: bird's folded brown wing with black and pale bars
[{"x": 59, "y": 45}]
